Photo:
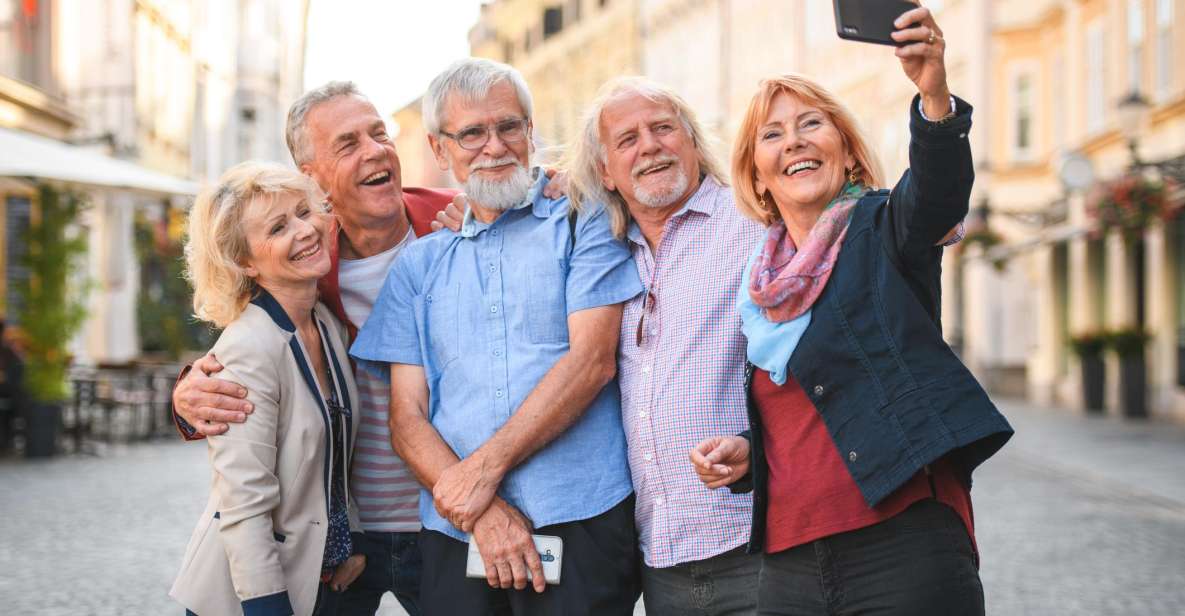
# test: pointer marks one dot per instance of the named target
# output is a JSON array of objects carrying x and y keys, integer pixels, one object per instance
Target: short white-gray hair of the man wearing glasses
[{"x": 471, "y": 79}]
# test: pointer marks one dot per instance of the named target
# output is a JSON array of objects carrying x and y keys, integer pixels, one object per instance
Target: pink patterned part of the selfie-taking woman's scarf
[{"x": 786, "y": 281}]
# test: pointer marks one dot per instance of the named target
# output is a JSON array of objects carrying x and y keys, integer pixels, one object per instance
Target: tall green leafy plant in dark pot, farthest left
[{"x": 52, "y": 312}]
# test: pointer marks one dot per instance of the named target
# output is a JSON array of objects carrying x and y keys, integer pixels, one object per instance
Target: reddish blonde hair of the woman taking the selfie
[{"x": 761, "y": 208}]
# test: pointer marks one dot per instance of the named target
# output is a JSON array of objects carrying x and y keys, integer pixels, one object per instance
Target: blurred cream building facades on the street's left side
[{"x": 177, "y": 89}]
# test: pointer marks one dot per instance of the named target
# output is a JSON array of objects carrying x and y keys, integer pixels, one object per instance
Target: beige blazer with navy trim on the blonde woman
[{"x": 265, "y": 528}]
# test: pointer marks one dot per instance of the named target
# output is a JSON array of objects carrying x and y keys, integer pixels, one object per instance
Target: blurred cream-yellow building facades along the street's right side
[{"x": 1046, "y": 78}]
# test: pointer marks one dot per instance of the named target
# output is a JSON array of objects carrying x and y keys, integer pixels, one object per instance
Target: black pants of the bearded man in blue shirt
[{"x": 599, "y": 574}]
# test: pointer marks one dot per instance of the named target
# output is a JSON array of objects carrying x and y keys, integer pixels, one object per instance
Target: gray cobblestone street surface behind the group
[{"x": 1078, "y": 516}]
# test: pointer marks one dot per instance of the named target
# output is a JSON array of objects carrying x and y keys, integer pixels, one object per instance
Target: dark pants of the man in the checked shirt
[{"x": 722, "y": 586}]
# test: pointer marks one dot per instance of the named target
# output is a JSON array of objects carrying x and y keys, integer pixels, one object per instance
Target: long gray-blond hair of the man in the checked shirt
[{"x": 587, "y": 155}]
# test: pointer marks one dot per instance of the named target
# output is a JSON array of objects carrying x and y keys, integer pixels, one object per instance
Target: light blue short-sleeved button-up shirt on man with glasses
[{"x": 485, "y": 312}]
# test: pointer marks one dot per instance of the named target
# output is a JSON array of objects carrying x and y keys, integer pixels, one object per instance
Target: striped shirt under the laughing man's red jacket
[{"x": 388, "y": 495}]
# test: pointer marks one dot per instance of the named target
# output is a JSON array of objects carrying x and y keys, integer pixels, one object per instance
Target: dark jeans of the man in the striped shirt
[{"x": 393, "y": 566}]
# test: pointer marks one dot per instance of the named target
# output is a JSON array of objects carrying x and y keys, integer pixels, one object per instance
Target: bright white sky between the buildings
[{"x": 392, "y": 49}]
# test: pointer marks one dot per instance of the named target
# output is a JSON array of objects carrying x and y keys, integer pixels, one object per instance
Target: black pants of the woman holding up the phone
[{"x": 918, "y": 563}]
